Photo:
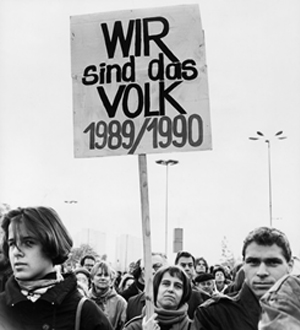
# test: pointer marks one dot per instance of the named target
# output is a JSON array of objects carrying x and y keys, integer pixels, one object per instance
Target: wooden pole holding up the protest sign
[{"x": 146, "y": 235}]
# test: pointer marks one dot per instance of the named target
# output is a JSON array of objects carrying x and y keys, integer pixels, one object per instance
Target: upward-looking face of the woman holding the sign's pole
[{"x": 170, "y": 292}]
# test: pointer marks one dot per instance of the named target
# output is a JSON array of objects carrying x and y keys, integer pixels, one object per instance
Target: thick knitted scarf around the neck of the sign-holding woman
[{"x": 173, "y": 319}]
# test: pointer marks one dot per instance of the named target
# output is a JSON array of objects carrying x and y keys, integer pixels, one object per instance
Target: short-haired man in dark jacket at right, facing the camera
[{"x": 267, "y": 257}]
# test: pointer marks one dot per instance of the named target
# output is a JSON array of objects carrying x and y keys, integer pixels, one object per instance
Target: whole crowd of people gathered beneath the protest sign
[{"x": 39, "y": 289}]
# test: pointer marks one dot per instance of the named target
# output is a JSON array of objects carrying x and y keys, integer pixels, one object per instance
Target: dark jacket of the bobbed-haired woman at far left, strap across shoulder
[{"x": 56, "y": 309}]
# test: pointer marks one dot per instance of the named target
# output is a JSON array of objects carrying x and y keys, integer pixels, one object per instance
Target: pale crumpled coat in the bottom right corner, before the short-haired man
[{"x": 281, "y": 305}]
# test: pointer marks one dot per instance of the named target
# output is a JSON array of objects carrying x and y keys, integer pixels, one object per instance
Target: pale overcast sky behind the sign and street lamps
[{"x": 252, "y": 52}]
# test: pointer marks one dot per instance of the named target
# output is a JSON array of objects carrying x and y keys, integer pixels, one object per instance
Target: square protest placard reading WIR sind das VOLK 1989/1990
[{"x": 139, "y": 82}]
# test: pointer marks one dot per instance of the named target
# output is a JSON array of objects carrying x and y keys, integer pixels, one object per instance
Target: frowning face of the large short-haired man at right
[{"x": 263, "y": 266}]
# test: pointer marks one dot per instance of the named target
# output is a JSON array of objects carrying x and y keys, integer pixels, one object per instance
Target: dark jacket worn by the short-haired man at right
[{"x": 240, "y": 312}]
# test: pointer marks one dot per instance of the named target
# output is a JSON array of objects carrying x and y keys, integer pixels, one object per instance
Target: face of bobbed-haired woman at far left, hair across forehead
[{"x": 27, "y": 259}]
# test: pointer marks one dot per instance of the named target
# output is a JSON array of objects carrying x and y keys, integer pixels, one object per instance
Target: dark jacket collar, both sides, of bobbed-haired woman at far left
[{"x": 54, "y": 295}]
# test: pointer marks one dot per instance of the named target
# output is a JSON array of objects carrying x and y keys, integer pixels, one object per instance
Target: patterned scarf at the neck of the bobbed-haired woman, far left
[{"x": 34, "y": 289}]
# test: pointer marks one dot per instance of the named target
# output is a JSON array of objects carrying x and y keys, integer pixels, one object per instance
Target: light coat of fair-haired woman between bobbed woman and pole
[{"x": 113, "y": 306}]
